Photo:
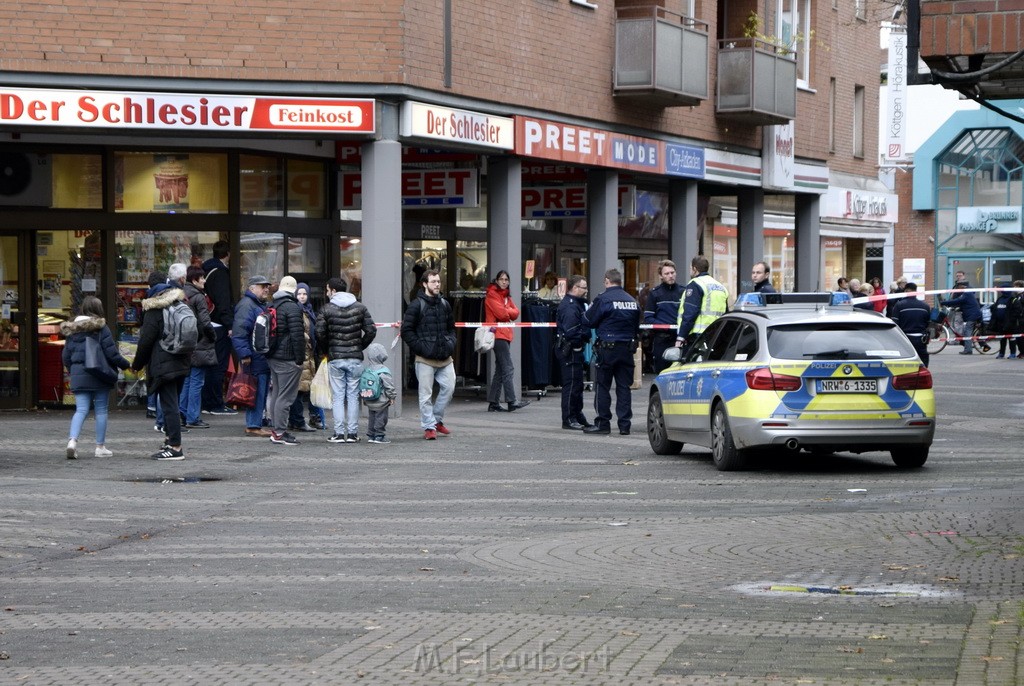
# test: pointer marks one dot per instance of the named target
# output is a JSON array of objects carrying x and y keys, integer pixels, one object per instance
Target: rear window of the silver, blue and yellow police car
[{"x": 838, "y": 341}]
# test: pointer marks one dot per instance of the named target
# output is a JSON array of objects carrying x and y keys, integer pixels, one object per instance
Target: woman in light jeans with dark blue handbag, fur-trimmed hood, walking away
[{"x": 93, "y": 359}]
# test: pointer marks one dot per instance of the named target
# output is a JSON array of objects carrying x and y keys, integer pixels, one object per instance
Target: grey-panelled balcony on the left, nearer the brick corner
[{"x": 661, "y": 57}]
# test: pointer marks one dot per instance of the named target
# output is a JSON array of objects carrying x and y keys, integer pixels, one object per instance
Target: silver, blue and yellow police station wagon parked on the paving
[{"x": 797, "y": 371}]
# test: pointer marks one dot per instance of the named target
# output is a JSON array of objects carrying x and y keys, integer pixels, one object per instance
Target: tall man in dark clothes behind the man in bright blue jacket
[{"x": 219, "y": 288}]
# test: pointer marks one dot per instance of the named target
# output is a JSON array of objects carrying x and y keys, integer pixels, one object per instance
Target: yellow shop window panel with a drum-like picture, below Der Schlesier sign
[{"x": 172, "y": 183}]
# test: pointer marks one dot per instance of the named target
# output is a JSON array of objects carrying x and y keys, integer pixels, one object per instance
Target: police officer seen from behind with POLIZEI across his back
[{"x": 616, "y": 316}]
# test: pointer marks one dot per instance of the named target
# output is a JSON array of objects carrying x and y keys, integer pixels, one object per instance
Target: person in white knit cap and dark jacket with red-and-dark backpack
[{"x": 286, "y": 360}]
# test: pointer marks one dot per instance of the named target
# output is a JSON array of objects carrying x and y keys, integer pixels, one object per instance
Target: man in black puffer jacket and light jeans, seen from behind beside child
[{"x": 345, "y": 329}]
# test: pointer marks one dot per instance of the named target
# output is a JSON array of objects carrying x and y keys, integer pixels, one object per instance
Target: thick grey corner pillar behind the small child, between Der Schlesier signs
[{"x": 382, "y": 246}]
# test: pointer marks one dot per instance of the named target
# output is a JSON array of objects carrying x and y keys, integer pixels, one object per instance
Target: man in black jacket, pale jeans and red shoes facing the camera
[{"x": 429, "y": 329}]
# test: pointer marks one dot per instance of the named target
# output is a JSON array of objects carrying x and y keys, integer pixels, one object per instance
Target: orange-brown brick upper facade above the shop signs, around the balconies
[{"x": 547, "y": 56}]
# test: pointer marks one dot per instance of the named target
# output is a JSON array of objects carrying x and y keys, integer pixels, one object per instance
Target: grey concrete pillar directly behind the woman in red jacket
[{"x": 505, "y": 241}]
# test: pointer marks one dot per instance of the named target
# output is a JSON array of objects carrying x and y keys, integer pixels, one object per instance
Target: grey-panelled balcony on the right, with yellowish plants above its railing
[{"x": 757, "y": 82}]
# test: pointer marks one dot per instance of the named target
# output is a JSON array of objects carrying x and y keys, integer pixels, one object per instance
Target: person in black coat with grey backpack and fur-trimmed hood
[{"x": 166, "y": 342}]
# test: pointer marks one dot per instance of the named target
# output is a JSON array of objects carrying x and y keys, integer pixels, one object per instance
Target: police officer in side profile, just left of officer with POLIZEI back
[{"x": 573, "y": 336}]
